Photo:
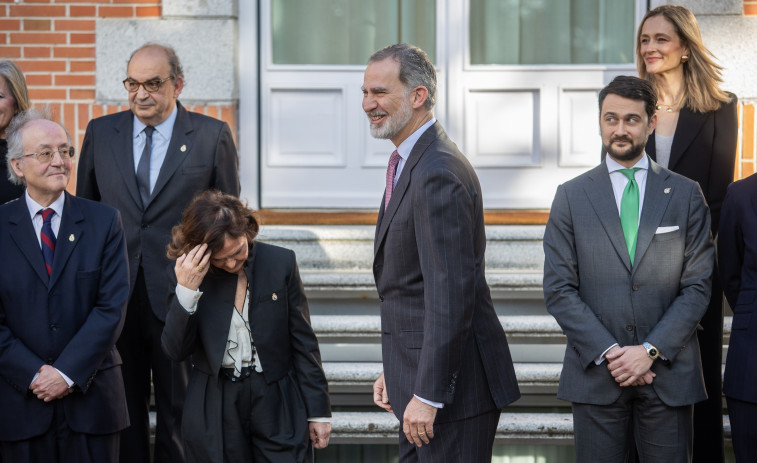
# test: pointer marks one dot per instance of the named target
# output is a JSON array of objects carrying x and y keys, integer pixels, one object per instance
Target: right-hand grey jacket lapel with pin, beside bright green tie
[{"x": 655, "y": 203}]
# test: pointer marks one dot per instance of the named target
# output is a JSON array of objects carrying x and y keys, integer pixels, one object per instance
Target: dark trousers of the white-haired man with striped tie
[{"x": 60, "y": 444}]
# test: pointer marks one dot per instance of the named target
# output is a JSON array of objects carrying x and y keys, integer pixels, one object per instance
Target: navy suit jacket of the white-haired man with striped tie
[{"x": 70, "y": 320}]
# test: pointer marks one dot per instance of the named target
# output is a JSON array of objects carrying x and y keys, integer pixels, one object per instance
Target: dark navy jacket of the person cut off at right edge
[{"x": 737, "y": 256}]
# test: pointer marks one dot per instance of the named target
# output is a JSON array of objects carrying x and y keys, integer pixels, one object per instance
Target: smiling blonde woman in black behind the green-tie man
[{"x": 695, "y": 137}]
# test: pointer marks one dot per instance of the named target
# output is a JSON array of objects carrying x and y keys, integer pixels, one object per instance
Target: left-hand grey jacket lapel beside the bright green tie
[{"x": 602, "y": 199}]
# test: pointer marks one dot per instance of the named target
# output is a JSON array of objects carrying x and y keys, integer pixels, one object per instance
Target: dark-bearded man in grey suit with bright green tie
[{"x": 627, "y": 274}]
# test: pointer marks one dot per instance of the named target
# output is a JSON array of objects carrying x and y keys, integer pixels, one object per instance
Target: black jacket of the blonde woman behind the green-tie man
[{"x": 704, "y": 150}]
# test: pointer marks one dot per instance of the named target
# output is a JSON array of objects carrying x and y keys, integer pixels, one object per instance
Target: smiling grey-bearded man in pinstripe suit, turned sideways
[{"x": 447, "y": 365}]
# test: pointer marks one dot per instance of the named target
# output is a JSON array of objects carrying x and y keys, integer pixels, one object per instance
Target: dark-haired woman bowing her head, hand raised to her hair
[{"x": 257, "y": 391}]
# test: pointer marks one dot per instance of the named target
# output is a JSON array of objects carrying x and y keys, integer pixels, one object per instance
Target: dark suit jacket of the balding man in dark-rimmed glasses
[{"x": 200, "y": 156}]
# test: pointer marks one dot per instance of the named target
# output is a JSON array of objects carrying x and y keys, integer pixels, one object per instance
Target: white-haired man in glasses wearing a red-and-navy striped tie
[{"x": 63, "y": 295}]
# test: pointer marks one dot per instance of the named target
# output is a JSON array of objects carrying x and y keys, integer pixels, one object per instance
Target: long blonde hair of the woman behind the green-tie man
[{"x": 701, "y": 74}]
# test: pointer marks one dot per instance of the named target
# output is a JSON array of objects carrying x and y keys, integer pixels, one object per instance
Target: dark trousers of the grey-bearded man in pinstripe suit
[{"x": 469, "y": 440}]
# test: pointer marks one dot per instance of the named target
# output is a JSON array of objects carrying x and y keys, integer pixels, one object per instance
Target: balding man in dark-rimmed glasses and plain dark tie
[{"x": 149, "y": 162}]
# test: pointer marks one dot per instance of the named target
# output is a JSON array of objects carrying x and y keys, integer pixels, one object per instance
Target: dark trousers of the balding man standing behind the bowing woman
[{"x": 143, "y": 360}]
